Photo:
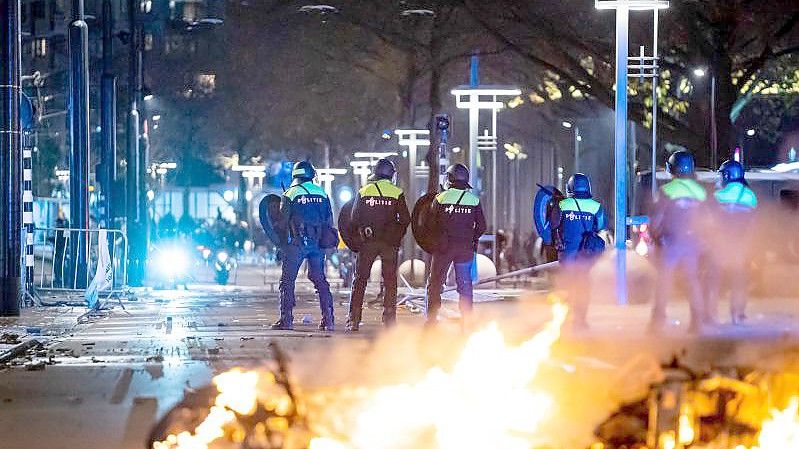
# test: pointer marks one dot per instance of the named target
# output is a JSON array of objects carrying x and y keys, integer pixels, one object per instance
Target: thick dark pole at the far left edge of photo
[{"x": 10, "y": 159}]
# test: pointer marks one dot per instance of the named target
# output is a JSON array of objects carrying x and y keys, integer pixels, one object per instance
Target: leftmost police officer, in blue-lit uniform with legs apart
[{"x": 307, "y": 218}]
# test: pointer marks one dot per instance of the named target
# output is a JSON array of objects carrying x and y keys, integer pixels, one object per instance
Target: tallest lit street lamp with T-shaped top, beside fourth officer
[{"x": 623, "y": 8}]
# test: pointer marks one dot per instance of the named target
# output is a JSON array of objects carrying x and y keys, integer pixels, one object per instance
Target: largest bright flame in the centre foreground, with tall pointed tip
[{"x": 487, "y": 399}]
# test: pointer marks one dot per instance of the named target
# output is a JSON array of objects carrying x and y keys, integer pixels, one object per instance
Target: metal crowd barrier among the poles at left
[{"x": 53, "y": 259}]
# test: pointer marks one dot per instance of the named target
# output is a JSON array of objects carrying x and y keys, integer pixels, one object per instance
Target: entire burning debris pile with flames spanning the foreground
[{"x": 496, "y": 395}]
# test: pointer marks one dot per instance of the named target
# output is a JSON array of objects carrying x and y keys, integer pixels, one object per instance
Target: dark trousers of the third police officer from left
[{"x": 435, "y": 284}]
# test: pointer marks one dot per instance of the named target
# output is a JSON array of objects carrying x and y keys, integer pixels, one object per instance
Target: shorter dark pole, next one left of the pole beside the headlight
[{"x": 108, "y": 172}]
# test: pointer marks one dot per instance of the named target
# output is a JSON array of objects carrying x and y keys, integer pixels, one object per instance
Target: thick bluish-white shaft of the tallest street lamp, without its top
[{"x": 620, "y": 150}]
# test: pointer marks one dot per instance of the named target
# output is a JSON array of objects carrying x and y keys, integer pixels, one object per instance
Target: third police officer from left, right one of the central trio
[{"x": 457, "y": 221}]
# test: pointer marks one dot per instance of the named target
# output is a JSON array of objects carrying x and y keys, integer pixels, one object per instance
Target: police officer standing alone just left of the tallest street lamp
[{"x": 575, "y": 216}]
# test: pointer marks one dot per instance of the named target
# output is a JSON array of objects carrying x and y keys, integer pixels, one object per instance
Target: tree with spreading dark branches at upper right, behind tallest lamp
[{"x": 569, "y": 46}]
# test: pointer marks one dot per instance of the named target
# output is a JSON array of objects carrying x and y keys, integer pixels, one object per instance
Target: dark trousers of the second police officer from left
[{"x": 363, "y": 268}]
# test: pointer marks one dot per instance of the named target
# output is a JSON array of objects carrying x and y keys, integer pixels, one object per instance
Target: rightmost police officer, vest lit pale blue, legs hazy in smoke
[{"x": 734, "y": 205}]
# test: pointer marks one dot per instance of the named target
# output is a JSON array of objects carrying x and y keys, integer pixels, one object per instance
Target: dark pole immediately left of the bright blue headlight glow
[{"x": 135, "y": 255}]
